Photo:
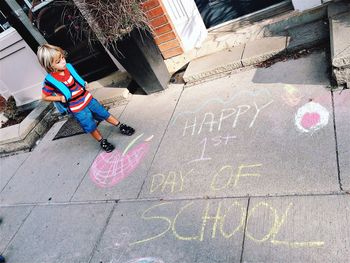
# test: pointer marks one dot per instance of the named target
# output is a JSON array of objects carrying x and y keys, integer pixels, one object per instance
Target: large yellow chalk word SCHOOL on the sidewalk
[{"x": 218, "y": 221}]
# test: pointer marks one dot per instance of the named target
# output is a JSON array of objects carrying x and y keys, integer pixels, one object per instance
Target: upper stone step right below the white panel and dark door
[{"x": 243, "y": 30}]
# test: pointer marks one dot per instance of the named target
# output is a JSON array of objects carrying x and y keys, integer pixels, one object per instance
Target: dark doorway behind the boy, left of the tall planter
[{"x": 58, "y": 22}]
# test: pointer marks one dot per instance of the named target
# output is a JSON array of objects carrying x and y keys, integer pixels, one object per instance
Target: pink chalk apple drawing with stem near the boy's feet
[{"x": 108, "y": 169}]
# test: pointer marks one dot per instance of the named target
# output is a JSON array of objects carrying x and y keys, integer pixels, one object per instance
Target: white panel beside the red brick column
[{"x": 187, "y": 21}]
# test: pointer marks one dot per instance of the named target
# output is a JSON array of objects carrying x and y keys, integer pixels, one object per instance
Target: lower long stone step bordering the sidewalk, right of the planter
[{"x": 253, "y": 52}]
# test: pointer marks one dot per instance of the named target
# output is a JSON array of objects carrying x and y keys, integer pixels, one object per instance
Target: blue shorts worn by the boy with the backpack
[{"x": 93, "y": 112}]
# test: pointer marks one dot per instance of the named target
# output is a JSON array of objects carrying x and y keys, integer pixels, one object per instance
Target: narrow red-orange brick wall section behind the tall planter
[{"x": 163, "y": 30}]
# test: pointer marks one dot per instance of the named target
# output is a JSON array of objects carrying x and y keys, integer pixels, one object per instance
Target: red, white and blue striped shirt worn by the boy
[{"x": 78, "y": 101}]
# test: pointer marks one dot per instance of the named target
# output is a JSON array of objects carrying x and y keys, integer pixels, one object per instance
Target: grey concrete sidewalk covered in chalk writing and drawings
[{"x": 252, "y": 167}]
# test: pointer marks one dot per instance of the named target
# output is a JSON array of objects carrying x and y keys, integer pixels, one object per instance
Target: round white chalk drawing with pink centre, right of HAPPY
[{"x": 311, "y": 117}]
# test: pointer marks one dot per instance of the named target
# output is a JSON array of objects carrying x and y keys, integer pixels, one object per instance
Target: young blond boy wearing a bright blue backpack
[{"x": 81, "y": 104}]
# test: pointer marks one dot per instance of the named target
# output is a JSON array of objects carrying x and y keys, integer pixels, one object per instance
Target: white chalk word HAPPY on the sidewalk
[{"x": 211, "y": 123}]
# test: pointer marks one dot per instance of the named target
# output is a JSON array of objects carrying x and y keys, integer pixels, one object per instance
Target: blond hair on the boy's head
[{"x": 46, "y": 55}]
